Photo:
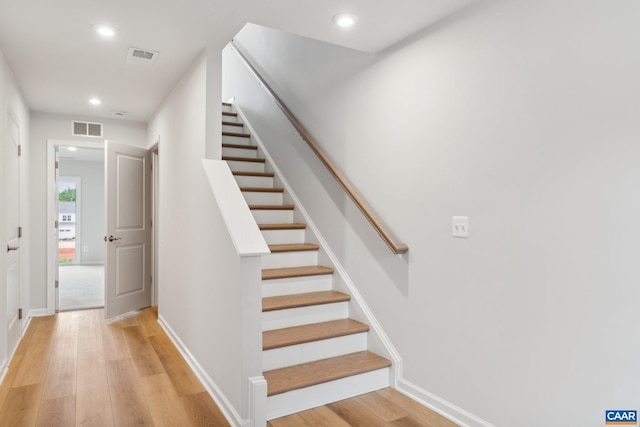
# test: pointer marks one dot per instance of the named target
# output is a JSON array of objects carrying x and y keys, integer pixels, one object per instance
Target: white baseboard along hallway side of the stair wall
[{"x": 212, "y": 388}]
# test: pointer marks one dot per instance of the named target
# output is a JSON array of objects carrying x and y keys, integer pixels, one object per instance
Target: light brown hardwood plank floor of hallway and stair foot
[{"x": 75, "y": 369}]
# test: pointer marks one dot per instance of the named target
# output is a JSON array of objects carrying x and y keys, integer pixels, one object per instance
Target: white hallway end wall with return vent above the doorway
[{"x": 44, "y": 127}]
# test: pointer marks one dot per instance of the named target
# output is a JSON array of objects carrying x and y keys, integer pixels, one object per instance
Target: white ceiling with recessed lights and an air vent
[{"x": 59, "y": 62}]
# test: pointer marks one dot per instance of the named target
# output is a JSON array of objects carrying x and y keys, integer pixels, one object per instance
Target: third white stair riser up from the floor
[{"x": 279, "y": 319}]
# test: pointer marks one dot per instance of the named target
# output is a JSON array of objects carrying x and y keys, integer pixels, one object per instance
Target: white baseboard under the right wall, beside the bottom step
[{"x": 441, "y": 406}]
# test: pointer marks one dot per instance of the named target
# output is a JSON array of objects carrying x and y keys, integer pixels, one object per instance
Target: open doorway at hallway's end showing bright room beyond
[{"x": 80, "y": 216}]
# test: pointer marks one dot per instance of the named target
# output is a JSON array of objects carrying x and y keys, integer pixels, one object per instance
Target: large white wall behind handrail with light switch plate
[{"x": 524, "y": 116}]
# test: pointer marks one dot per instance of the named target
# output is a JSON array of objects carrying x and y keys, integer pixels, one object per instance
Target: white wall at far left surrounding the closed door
[{"x": 12, "y": 102}]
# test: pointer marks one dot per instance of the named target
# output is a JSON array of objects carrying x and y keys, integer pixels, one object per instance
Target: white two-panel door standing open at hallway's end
[{"x": 128, "y": 233}]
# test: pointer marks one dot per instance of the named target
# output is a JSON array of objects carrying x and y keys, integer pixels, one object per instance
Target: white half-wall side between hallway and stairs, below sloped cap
[{"x": 198, "y": 268}]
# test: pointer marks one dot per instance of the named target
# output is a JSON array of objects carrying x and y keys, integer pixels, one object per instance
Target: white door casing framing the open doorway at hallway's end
[{"x": 52, "y": 191}]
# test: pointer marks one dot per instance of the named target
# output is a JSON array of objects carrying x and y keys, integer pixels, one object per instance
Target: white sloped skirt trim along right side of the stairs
[{"x": 356, "y": 297}]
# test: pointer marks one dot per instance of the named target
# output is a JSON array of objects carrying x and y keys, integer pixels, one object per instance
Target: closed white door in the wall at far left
[{"x": 12, "y": 217}]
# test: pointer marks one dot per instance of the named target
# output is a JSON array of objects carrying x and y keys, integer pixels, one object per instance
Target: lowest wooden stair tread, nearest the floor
[{"x": 321, "y": 371}]
